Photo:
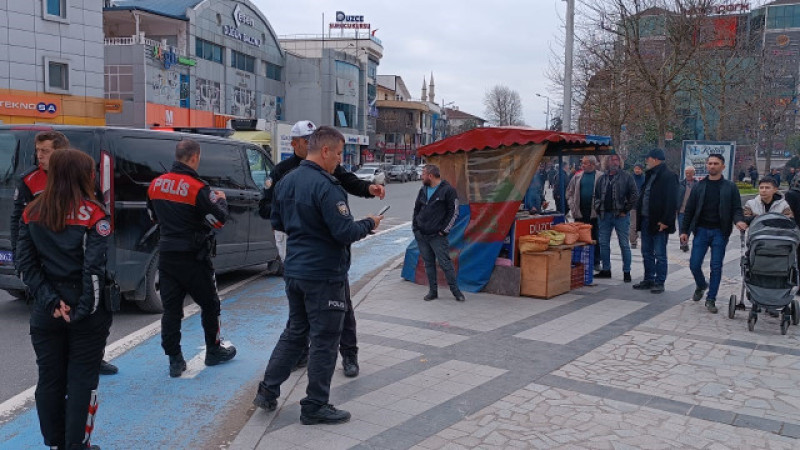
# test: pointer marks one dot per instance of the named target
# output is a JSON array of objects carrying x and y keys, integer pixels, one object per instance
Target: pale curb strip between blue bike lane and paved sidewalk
[{"x": 255, "y": 428}]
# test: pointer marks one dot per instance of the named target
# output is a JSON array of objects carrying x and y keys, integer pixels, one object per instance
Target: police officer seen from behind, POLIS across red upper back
[{"x": 188, "y": 213}]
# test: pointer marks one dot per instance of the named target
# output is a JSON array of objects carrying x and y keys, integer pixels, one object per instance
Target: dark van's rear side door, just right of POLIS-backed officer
[{"x": 222, "y": 167}]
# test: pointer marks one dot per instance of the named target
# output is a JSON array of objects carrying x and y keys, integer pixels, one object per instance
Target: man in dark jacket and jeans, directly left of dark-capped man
[{"x": 615, "y": 195}]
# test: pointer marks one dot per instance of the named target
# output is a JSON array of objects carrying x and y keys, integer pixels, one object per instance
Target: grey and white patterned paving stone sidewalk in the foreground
[{"x": 603, "y": 367}]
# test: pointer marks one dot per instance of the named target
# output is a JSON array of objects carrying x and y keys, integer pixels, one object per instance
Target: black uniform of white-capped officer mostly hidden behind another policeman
[{"x": 348, "y": 346}]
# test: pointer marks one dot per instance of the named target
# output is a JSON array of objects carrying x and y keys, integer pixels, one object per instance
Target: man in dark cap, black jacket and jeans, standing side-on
[{"x": 656, "y": 210}]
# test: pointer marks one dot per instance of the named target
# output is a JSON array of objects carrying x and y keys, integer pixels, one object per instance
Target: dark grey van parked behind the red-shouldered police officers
[{"x": 128, "y": 160}]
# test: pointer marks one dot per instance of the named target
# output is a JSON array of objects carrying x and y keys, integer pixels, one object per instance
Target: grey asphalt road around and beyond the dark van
[{"x": 18, "y": 366}]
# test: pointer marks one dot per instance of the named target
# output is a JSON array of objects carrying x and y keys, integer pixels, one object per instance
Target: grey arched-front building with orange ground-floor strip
[{"x": 191, "y": 63}]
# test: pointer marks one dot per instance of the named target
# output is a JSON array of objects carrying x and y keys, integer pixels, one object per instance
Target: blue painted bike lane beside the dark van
[{"x": 142, "y": 407}]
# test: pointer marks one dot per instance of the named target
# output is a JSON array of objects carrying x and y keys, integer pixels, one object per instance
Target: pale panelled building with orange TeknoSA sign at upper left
[{"x": 51, "y": 64}]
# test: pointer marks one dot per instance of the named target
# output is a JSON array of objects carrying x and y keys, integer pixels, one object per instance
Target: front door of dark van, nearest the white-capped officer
[{"x": 261, "y": 245}]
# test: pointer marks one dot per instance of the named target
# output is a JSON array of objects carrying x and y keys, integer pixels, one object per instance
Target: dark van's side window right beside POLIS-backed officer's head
[{"x": 221, "y": 165}]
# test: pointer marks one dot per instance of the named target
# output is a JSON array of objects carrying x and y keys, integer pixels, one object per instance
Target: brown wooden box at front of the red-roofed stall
[{"x": 546, "y": 274}]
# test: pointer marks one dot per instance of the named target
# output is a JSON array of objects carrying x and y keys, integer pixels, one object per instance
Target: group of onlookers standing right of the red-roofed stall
[{"x": 650, "y": 202}]
